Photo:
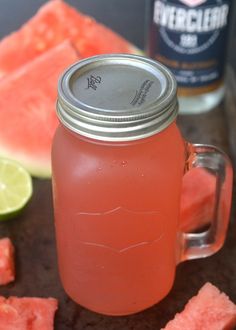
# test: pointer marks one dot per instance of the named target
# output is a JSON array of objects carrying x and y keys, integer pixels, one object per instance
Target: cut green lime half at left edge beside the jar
[{"x": 15, "y": 188}]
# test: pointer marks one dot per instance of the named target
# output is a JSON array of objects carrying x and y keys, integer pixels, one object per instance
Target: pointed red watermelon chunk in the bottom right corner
[{"x": 210, "y": 309}]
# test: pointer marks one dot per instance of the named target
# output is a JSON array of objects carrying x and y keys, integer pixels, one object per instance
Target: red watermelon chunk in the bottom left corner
[{"x": 27, "y": 313}]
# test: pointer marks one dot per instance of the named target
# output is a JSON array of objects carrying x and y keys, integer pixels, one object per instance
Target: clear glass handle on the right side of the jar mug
[{"x": 199, "y": 245}]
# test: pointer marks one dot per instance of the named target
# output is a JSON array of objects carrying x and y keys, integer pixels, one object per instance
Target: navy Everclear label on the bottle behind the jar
[{"x": 190, "y": 39}]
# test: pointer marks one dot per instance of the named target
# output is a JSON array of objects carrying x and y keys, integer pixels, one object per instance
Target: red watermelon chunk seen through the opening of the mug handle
[{"x": 197, "y": 199}]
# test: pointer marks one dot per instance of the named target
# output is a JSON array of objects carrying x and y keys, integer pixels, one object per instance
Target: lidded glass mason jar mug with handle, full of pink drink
[{"x": 117, "y": 162}]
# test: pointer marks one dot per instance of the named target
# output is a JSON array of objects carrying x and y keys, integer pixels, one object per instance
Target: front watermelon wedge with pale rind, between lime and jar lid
[{"x": 27, "y": 109}]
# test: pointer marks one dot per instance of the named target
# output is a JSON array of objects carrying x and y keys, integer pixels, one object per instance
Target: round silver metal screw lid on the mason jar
[{"x": 117, "y": 97}]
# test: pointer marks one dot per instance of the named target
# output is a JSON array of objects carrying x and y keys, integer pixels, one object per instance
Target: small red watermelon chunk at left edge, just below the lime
[{"x": 7, "y": 269}]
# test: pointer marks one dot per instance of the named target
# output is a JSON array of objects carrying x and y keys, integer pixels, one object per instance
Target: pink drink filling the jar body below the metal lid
[{"x": 116, "y": 229}]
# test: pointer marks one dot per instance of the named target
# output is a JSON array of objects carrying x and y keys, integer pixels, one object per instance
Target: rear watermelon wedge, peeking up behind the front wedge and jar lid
[{"x": 52, "y": 24}]
